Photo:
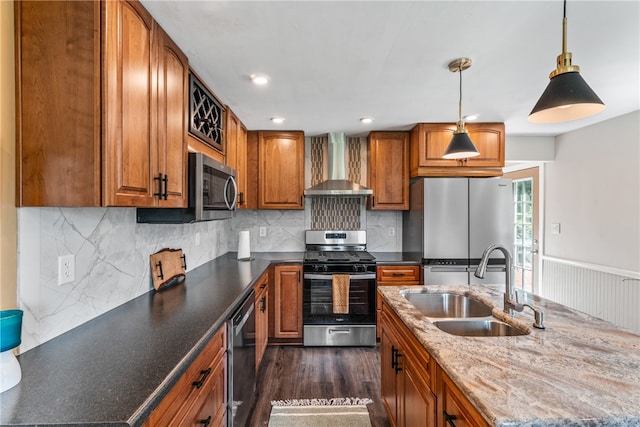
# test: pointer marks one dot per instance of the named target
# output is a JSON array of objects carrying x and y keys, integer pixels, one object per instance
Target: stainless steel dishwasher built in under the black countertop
[{"x": 241, "y": 363}]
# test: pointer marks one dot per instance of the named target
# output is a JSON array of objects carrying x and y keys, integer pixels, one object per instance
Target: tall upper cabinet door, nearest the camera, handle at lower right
[{"x": 129, "y": 105}]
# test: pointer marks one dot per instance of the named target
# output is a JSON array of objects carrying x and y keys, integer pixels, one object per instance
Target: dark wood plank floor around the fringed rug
[{"x": 319, "y": 372}]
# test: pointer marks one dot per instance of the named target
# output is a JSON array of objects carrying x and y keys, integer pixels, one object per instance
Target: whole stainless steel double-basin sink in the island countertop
[{"x": 460, "y": 314}]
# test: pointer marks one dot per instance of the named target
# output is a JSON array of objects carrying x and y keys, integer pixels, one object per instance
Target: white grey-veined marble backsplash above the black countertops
[{"x": 112, "y": 256}]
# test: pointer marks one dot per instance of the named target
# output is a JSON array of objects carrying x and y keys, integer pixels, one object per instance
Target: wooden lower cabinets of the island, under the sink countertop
[{"x": 415, "y": 390}]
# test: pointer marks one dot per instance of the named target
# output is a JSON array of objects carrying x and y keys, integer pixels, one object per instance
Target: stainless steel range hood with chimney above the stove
[{"x": 337, "y": 184}]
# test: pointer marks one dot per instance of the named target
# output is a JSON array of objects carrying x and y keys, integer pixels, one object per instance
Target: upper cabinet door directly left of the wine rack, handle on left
[{"x": 173, "y": 78}]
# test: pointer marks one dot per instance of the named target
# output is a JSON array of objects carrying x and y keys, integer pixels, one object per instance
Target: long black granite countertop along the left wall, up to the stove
[{"x": 114, "y": 369}]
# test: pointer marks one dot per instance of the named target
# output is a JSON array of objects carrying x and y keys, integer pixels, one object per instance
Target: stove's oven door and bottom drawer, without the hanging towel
[{"x": 323, "y": 327}]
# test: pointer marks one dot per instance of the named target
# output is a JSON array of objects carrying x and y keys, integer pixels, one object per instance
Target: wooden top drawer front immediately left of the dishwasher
[{"x": 198, "y": 380}]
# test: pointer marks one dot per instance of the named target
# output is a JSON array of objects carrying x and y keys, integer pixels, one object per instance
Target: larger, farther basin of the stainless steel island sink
[{"x": 447, "y": 305}]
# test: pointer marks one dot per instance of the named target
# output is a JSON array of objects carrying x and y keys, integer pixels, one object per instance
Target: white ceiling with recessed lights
[{"x": 332, "y": 62}]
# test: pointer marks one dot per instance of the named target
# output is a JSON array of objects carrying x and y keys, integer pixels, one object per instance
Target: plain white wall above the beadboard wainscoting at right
[{"x": 592, "y": 190}]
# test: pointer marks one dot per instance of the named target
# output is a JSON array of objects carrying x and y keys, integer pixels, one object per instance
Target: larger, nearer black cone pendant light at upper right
[{"x": 568, "y": 96}]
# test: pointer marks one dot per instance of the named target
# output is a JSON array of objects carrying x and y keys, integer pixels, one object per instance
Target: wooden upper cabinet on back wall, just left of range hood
[{"x": 280, "y": 170}]
